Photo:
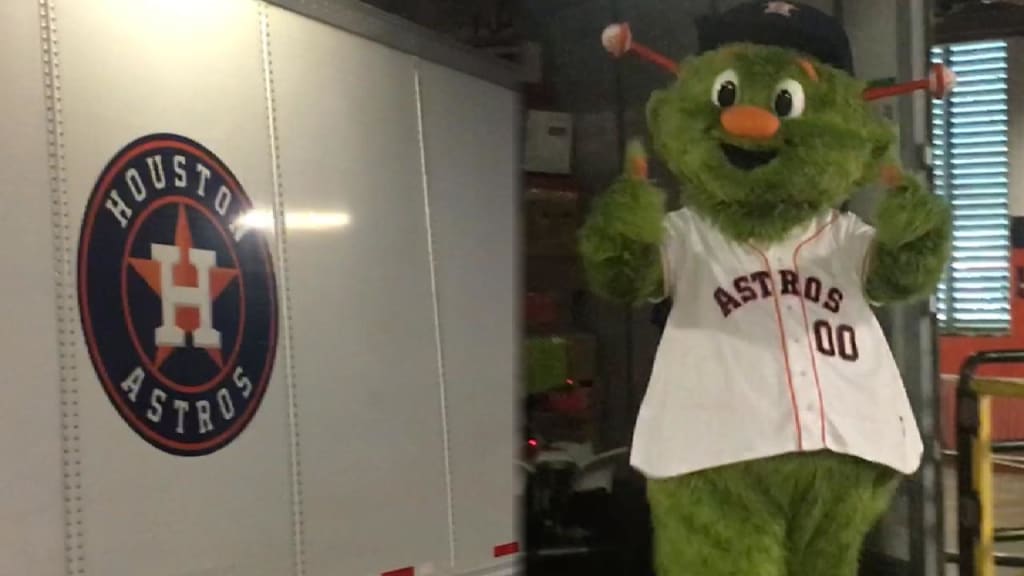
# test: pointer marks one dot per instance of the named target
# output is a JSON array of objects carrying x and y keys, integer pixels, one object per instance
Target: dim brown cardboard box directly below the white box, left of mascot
[{"x": 552, "y": 222}]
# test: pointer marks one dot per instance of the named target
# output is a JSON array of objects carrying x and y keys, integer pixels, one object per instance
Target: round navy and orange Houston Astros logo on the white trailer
[{"x": 178, "y": 298}]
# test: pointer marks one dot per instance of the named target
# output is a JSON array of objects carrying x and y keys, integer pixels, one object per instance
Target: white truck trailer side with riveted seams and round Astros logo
[{"x": 260, "y": 270}]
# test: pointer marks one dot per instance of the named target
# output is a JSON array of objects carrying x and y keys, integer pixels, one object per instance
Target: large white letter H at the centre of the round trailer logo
[{"x": 174, "y": 297}]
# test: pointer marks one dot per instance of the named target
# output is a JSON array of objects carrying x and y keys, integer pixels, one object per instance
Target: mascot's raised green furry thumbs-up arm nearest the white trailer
[{"x": 622, "y": 238}]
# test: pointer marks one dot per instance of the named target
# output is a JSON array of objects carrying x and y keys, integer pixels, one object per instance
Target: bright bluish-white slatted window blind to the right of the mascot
[{"x": 971, "y": 168}]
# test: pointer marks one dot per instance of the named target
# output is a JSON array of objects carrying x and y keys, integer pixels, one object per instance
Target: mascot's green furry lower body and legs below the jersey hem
[{"x": 804, "y": 515}]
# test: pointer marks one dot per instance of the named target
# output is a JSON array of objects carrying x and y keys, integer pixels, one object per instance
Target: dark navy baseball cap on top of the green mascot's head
[{"x": 787, "y": 25}]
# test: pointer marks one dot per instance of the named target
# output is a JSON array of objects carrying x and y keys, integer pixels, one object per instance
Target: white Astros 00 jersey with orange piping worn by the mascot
[{"x": 772, "y": 350}]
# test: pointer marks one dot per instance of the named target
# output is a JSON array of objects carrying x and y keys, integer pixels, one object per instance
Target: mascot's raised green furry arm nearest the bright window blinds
[{"x": 913, "y": 242}]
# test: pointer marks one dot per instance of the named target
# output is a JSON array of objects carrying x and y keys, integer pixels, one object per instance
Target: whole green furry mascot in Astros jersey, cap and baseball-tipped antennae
[{"x": 776, "y": 427}]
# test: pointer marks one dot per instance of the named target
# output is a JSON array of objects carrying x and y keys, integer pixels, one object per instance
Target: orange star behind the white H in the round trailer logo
[{"x": 186, "y": 275}]
